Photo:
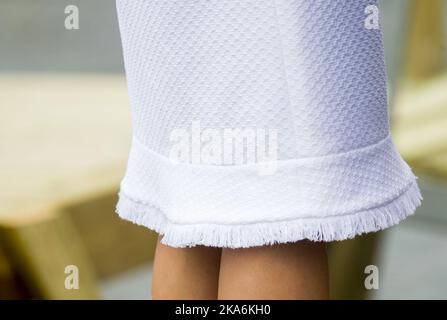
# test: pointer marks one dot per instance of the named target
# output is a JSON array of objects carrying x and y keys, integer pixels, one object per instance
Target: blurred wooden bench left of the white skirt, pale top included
[{"x": 65, "y": 139}]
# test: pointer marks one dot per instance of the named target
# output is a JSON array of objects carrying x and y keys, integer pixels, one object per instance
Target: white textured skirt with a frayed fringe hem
[{"x": 303, "y": 78}]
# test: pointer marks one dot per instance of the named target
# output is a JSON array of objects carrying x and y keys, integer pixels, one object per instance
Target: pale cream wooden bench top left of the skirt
[{"x": 63, "y": 135}]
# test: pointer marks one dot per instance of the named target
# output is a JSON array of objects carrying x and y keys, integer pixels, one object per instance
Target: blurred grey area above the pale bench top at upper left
[{"x": 33, "y": 36}]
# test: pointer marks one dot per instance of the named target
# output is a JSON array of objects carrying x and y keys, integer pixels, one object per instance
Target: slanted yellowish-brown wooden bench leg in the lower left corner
[{"x": 42, "y": 250}]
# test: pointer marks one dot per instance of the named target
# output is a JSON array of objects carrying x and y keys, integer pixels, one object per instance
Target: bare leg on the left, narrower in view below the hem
[{"x": 185, "y": 273}]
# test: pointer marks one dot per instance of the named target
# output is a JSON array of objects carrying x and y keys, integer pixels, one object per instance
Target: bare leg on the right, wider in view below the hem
[{"x": 287, "y": 271}]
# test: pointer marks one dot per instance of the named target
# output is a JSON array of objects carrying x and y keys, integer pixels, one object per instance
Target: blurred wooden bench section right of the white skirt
[{"x": 420, "y": 106}]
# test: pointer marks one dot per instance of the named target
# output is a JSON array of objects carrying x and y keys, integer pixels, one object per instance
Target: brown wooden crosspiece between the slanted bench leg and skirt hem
[{"x": 114, "y": 245}]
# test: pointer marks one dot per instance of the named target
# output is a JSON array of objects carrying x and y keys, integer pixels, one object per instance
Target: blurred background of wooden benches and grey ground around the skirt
[{"x": 65, "y": 133}]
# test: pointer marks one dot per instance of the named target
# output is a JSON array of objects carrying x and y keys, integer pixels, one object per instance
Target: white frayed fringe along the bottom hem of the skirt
[{"x": 266, "y": 233}]
